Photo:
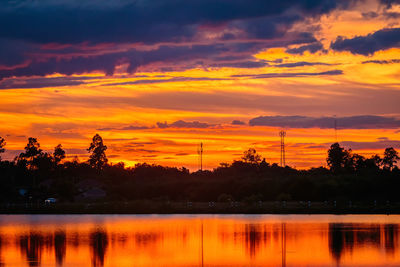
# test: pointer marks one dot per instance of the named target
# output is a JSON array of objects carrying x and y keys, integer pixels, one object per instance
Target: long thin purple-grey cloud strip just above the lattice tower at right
[{"x": 352, "y": 122}]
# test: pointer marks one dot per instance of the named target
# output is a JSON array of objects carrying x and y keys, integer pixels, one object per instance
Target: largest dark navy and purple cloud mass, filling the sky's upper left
[{"x": 38, "y": 33}]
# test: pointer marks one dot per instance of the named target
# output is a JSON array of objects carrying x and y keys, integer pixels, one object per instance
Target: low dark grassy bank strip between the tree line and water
[{"x": 163, "y": 207}]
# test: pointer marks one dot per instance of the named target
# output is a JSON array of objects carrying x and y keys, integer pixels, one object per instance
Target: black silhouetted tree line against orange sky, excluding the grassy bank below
[{"x": 35, "y": 175}]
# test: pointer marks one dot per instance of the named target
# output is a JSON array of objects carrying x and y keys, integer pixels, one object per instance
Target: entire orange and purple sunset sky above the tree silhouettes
[{"x": 156, "y": 77}]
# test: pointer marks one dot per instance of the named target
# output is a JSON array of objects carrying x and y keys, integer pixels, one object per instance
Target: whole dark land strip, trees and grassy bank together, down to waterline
[{"x": 352, "y": 183}]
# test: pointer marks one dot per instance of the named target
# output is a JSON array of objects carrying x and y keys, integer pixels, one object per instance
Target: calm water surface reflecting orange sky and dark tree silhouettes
[{"x": 203, "y": 240}]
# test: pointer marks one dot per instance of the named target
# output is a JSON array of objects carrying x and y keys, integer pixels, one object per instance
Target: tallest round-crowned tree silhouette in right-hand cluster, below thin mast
[{"x": 339, "y": 158}]
